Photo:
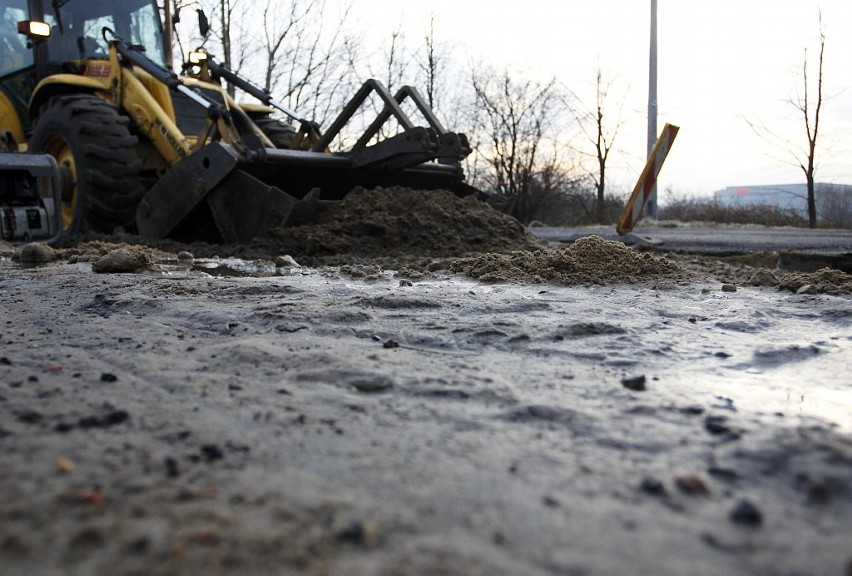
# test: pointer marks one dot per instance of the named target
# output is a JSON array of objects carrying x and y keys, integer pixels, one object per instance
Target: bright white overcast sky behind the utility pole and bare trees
[{"x": 719, "y": 61}]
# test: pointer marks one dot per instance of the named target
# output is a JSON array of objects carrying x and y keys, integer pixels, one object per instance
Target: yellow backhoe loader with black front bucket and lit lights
[{"x": 138, "y": 147}]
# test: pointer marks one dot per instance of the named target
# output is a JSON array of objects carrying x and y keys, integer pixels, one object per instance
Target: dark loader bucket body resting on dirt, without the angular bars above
[{"x": 216, "y": 194}]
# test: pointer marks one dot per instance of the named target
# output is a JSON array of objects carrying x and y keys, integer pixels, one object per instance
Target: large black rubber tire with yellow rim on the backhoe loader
[{"x": 96, "y": 151}]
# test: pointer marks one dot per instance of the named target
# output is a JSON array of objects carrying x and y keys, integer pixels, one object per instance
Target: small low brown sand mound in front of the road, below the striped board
[{"x": 590, "y": 260}]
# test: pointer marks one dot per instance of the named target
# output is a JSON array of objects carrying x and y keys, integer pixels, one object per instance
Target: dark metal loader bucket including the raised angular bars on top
[{"x": 235, "y": 191}]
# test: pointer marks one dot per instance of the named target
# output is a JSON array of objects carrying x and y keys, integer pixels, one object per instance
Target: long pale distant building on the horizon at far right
[{"x": 792, "y": 197}]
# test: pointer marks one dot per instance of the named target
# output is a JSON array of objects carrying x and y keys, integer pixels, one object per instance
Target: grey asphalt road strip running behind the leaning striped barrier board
[{"x": 798, "y": 248}]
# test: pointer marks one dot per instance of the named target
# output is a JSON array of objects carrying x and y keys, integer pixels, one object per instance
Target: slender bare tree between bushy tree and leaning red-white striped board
[{"x": 600, "y": 132}]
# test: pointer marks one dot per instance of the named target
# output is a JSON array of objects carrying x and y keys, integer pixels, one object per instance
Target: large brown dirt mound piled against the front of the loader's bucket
[{"x": 389, "y": 226}]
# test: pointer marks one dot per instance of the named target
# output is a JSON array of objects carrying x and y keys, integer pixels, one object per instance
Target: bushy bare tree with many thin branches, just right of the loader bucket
[{"x": 514, "y": 119}]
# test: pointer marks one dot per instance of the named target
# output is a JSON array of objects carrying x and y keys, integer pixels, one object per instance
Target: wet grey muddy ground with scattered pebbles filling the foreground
[{"x": 232, "y": 416}]
